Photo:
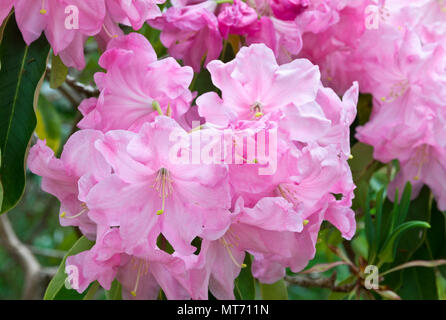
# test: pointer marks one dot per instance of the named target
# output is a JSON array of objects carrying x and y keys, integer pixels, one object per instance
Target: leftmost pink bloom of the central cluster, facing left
[{"x": 71, "y": 177}]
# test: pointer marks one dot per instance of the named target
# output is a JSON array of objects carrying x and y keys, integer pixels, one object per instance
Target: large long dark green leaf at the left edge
[{"x": 21, "y": 73}]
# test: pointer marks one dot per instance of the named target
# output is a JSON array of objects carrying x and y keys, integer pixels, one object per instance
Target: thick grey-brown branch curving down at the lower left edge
[{"x": 23, "y": 255}]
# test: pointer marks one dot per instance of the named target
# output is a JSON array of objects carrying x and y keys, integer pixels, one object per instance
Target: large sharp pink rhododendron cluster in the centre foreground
[{"x": 161, "y": 215}]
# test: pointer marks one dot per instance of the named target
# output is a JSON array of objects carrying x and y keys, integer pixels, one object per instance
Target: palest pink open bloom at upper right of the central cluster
[{"x": 254, "y": 85}]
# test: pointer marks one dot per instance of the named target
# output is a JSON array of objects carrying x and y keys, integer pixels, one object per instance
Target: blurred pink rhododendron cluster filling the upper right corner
[{"x": 400, "y": 60}]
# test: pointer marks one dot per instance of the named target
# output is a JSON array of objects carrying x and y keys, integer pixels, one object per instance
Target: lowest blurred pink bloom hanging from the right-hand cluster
[{"x": 416, "y": 138}]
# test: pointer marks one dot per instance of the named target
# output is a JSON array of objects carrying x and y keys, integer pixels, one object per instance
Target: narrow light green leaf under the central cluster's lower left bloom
[{"x": 58, "y": 280}]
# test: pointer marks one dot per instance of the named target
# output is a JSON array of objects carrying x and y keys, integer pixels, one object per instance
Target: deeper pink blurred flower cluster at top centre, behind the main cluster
[{"x": 194, "y": 29}]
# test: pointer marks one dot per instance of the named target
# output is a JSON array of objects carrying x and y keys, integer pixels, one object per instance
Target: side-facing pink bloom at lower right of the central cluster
[{"x": 268, "y": 228}]
